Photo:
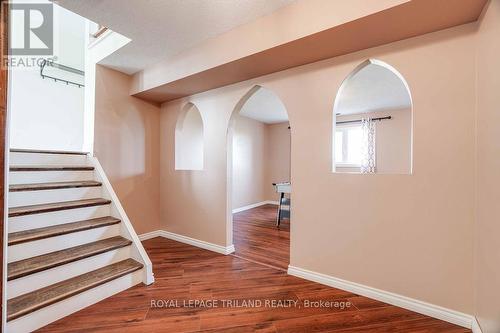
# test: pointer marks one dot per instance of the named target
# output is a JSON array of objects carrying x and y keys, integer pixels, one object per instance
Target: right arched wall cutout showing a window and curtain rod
[{"x": 372, "y": 127}]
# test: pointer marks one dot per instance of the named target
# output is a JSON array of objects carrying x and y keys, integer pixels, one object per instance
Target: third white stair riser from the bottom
[{"x": 43, "y": 246}]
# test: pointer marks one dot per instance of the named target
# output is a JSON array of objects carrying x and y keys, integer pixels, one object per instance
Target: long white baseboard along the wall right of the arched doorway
[{"x": 411, "y": 304}]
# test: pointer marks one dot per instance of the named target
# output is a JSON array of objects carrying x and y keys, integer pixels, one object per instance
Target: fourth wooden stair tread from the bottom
[{"x": 56, "y": 206}]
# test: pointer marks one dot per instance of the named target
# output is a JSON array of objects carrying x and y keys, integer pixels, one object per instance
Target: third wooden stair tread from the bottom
[{"x": 60, "y": 229}]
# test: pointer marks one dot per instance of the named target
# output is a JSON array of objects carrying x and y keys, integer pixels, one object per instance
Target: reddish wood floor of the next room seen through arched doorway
[{"x": 256, "y": 237}]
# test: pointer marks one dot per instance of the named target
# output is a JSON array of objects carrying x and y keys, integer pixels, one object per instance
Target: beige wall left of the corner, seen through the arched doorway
[{"x": 249, "y": 161}]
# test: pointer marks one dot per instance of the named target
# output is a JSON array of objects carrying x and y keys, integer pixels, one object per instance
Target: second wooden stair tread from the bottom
[{"x": 42, "y": 262}]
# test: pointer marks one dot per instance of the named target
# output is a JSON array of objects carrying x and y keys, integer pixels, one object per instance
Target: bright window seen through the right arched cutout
[{"x": 348, "y": 145}]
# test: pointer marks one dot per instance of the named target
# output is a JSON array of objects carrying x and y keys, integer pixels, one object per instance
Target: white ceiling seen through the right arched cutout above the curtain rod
[{"x": 373, "y": 88}]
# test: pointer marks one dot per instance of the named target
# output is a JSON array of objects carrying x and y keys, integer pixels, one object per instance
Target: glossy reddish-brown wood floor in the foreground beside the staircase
[{"x": 184, "y": 273}]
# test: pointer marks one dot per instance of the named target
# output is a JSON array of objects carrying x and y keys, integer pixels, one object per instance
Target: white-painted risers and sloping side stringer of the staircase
[{"x": 33, "y": 282}]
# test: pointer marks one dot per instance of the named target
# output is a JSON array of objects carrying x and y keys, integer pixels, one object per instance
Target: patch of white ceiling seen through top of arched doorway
[{"x": 264, "y": 106}]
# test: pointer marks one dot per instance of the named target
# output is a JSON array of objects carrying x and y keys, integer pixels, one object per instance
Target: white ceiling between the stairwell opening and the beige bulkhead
[{"x": 162, "y": 28}]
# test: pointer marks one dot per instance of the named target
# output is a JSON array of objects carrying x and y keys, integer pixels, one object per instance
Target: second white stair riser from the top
[{"x": 28, "y": 177}]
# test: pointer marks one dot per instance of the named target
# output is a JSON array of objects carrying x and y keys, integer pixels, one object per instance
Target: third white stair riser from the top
[{"x": 26, "y": 198}]
